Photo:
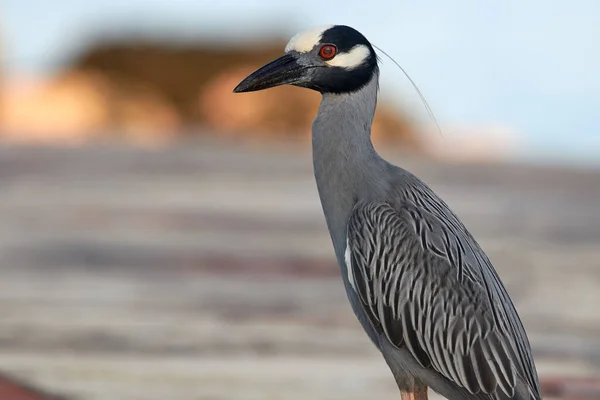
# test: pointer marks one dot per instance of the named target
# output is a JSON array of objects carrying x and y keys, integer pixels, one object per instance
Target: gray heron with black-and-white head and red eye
[{"x": 421, "y": 286}]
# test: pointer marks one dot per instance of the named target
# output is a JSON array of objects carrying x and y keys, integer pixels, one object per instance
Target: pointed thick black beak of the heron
[{"x": 282, "y": 71}]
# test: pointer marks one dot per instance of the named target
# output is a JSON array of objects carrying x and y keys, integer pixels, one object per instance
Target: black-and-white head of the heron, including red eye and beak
[{"x": 331, "y": 59}]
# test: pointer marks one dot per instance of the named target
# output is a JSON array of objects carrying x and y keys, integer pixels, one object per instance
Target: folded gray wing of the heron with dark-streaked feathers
[{"x": 427, "y": 285}]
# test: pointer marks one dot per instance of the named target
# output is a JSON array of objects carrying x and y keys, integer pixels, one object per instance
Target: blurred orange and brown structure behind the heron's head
[{"x": 151, "y": 93}]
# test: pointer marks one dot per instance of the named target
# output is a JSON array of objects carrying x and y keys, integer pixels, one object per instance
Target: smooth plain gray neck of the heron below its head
[{"x": 347, "y": 167}]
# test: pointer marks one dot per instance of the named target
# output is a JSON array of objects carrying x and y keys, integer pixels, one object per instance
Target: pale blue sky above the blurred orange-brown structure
[{"x": 531, "y": 65}]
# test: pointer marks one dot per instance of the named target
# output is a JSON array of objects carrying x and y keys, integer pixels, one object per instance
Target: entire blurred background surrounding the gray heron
[{"x": 162, "y": 238}]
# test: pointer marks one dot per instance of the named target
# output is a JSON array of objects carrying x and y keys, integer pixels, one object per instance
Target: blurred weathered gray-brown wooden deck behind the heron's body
[{"x": 206, "y": 272}]
